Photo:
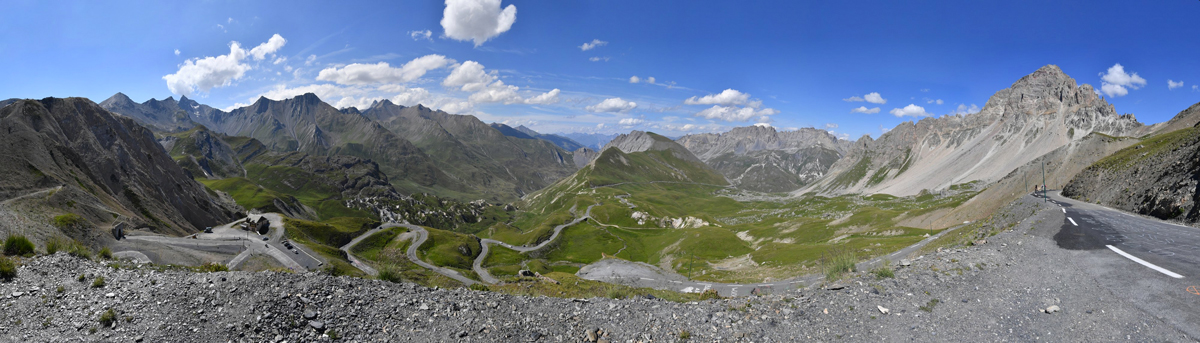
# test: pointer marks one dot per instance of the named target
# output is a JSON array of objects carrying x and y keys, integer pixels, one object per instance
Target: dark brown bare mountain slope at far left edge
[{"x": 101, "y": 167}]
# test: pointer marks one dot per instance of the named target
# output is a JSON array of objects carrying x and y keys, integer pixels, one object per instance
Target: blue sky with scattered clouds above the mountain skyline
[{"x": 715, "y": 64}]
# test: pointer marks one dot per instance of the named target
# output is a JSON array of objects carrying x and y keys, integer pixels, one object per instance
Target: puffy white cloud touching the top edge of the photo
[{"x": 477, "y": 21}]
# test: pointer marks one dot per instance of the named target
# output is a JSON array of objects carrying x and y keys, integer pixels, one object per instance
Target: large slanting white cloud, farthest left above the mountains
[{"x": 203, "y": 75}]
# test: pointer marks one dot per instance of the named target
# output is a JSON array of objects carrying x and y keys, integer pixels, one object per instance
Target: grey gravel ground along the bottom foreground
[{"x": 997, "y": 292}]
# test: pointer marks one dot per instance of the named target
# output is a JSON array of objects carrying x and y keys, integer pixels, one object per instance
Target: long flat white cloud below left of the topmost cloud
[{"x": 382, "y": 73}]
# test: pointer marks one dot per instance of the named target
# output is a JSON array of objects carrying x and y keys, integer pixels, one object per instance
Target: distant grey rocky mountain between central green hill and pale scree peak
[{"x": 764, "y": 160}]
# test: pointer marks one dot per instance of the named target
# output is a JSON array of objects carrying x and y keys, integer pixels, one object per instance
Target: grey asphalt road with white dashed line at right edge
[{"x": 1153, "y": 263}]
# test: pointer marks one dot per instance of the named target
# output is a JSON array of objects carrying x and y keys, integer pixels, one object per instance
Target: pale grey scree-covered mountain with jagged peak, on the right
[{"x": 1037, "y": 115}]
